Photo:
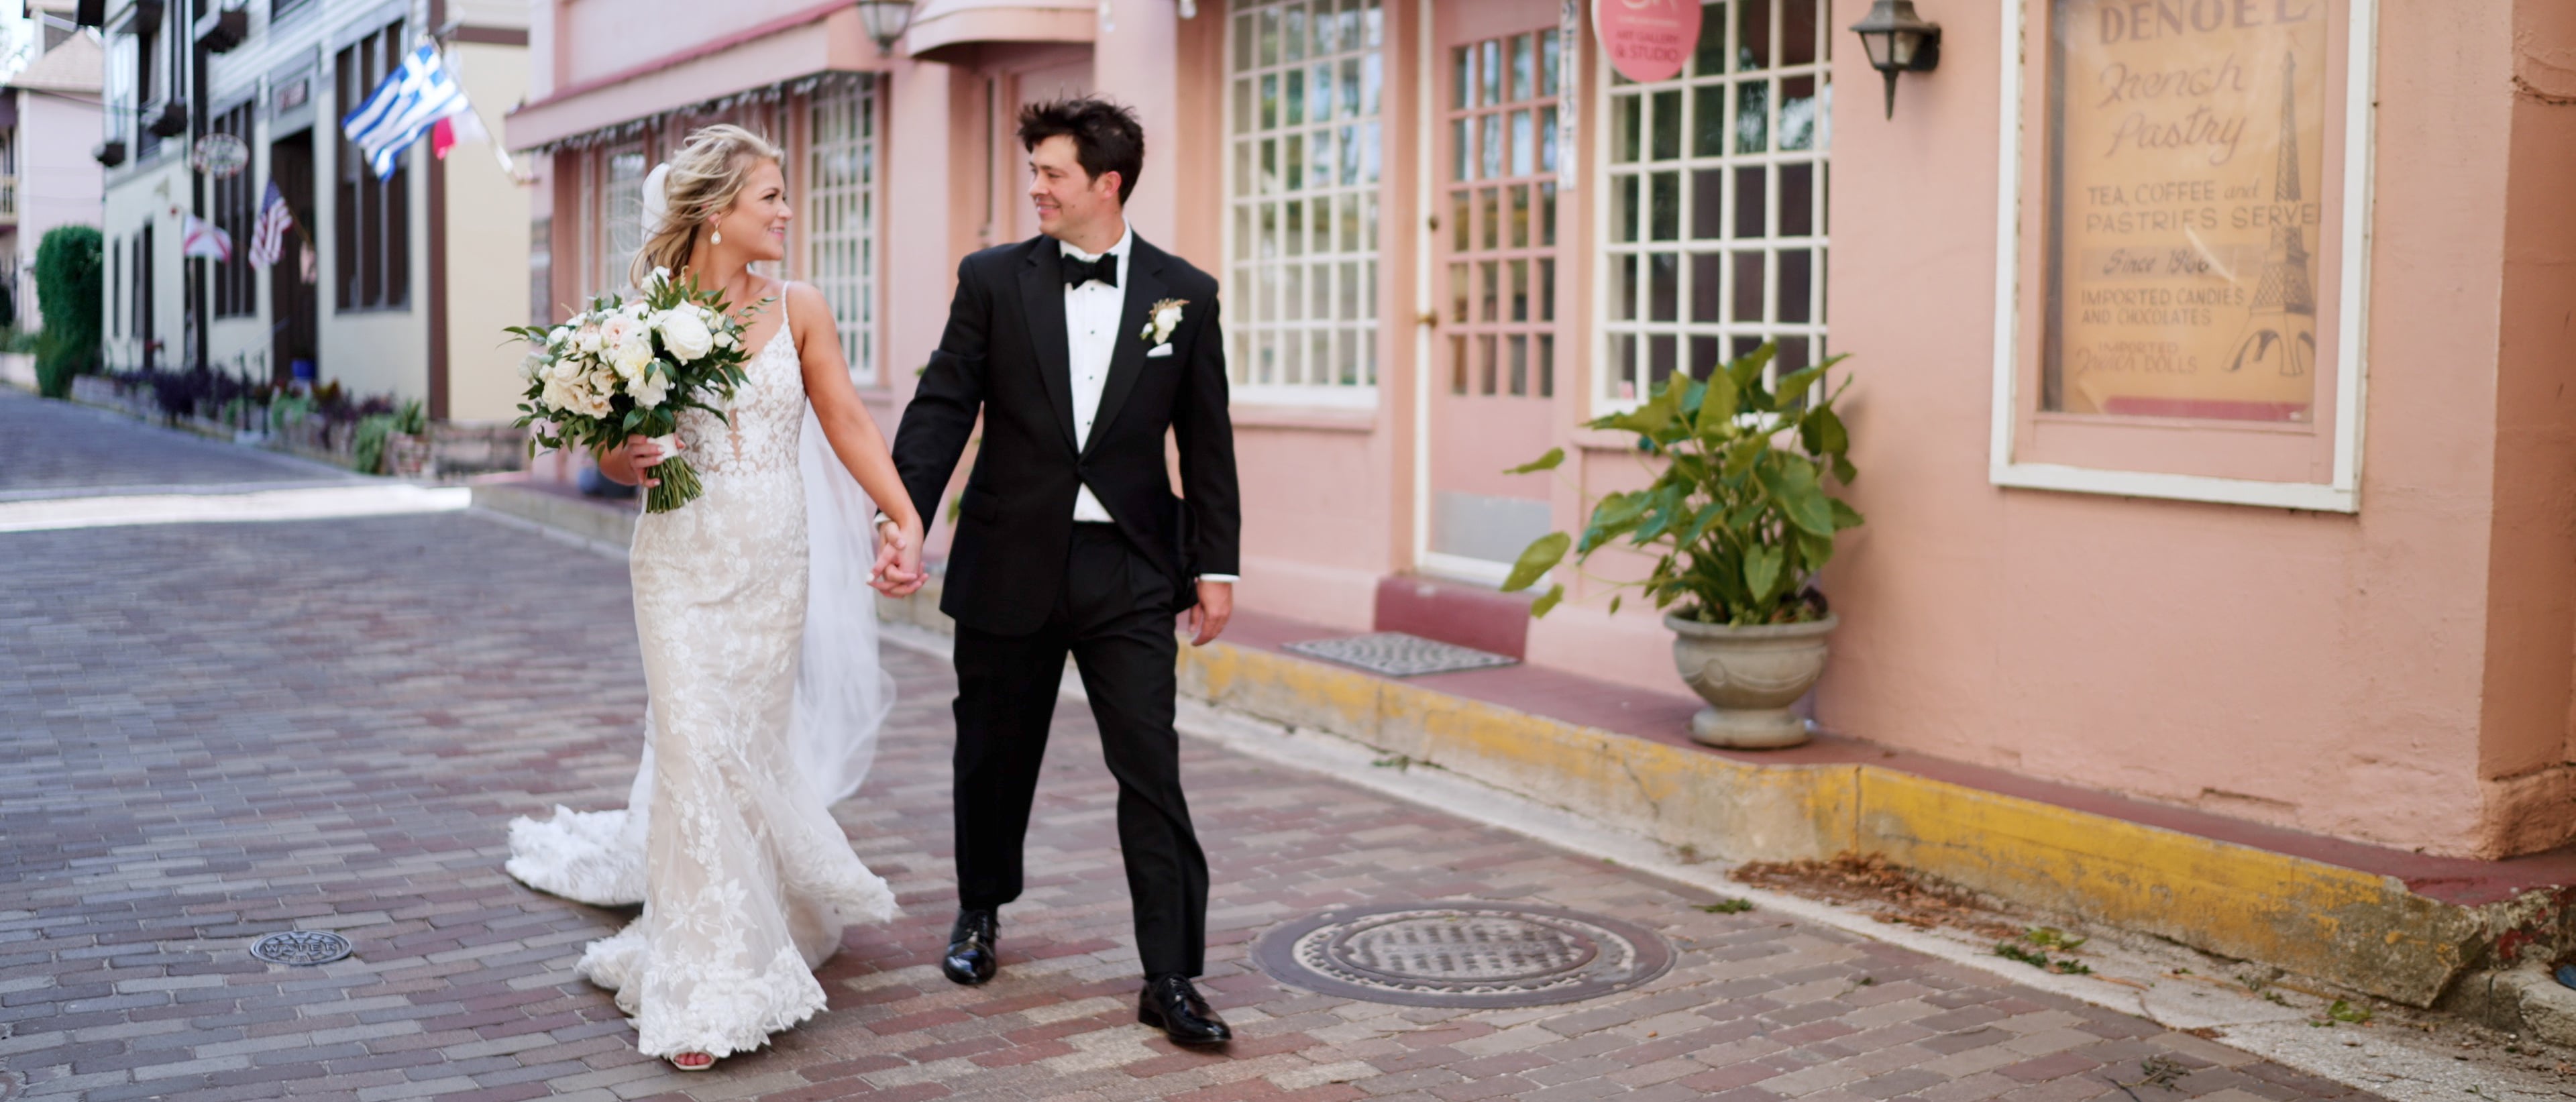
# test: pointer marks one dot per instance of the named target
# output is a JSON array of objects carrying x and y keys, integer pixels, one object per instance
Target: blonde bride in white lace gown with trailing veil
[{"x": 759, "y": 645}]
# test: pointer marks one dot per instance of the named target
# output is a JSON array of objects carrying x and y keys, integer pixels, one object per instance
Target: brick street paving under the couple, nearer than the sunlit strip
[{"x": 220, "y": 733}]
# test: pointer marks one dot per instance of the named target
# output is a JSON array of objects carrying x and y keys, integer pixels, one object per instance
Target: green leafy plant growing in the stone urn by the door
[{"x": 1738, "y": 516}]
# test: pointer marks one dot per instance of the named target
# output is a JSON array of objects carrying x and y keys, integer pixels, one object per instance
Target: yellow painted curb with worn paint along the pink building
[{"x": 2322, "y": 920}]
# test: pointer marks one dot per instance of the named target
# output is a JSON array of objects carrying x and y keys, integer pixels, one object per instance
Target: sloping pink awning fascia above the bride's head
[{"x": 795, "y": 48}]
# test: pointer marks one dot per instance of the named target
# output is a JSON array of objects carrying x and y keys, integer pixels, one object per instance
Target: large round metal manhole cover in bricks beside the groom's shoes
[{"x": 1462, "y": 954}]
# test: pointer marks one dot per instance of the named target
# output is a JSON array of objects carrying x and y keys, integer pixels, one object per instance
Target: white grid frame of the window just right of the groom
[{"x": 1253, "y": 318}]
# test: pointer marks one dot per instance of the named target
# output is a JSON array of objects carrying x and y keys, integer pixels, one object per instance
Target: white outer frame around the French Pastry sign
[{"x": 2353, "y": 308}]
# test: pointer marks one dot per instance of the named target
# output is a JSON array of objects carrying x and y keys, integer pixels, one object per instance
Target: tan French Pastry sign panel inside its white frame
[{"x": 2186, "y": 210}]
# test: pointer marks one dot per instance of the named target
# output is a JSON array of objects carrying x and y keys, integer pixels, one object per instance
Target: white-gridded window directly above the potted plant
[{"x": 1717, "y": 233}]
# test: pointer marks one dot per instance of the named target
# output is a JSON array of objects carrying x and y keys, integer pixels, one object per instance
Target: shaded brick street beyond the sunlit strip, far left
[{"x": 53, "y": 447}]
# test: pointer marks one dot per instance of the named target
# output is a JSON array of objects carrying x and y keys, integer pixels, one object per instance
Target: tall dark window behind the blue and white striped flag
[{"x": 372, "y": 218}]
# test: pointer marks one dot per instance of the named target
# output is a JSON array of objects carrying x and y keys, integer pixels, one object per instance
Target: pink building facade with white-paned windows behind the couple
[{"x": 2209, "y": 400}]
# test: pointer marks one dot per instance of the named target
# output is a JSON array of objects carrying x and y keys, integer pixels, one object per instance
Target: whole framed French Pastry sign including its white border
[{"x": 2186, "y": 248}]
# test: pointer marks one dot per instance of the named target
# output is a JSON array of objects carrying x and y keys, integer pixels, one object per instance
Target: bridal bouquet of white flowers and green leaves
[{"x": 627, "y": 369}]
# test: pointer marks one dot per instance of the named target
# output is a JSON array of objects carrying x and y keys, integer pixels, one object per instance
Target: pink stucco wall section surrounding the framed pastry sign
[{"x": 2371, "y": 676}]
